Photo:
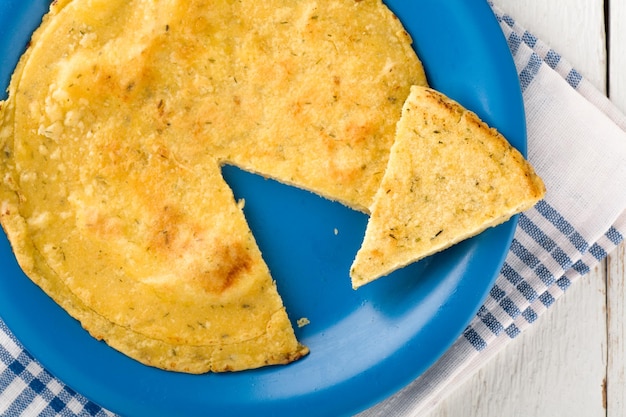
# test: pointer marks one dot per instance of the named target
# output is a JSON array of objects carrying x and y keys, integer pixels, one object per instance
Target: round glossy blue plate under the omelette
[{"x": 365, "y": 345}]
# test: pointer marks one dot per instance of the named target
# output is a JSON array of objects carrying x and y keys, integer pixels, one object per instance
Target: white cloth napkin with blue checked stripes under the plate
[{"x": 577, "y": 143}]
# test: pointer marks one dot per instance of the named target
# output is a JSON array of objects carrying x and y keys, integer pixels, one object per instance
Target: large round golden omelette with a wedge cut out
[{"x": 119, "y": 117}]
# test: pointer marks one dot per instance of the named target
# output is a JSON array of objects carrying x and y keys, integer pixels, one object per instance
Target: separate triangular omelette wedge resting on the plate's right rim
[{"x": 449, "y": 177}]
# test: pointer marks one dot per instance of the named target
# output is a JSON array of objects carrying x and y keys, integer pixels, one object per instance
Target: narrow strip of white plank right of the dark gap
[{"x": 616, "y": 273}]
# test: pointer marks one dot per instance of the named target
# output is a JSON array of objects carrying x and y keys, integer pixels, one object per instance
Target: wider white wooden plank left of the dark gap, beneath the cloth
[{"x": 558, "y": 366}]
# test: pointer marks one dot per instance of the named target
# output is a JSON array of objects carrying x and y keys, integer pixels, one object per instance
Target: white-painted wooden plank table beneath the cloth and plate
[{"x": 571, "y": 362}]
